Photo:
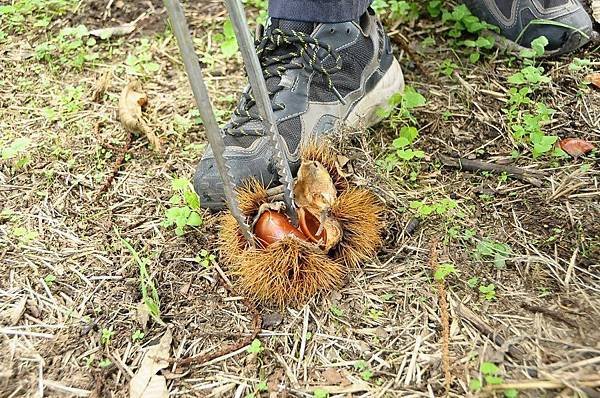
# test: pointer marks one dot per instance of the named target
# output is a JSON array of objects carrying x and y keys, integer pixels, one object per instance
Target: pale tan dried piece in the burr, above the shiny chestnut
[{"x": 314, "y": 188}]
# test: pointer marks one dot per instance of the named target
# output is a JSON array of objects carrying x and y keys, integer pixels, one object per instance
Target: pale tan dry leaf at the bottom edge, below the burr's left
[{"x": 146, "y": 383}]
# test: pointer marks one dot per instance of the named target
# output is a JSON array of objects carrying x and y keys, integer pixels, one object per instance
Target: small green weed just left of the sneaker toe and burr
[{"x": 186, "y": 207}]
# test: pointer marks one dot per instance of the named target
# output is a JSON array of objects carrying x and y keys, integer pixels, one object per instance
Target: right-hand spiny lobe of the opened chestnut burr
[{"x": 361, "y": 216}]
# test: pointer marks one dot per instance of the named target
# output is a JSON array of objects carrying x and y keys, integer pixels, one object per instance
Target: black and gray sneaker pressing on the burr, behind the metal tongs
[{"x": 318, "y": 75}]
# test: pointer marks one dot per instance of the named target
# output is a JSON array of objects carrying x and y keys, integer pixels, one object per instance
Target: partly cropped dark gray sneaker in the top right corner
[{"x": 565, "y": 23}]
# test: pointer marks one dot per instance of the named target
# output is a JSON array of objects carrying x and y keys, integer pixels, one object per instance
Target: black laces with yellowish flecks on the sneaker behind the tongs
[{"x": 303, "y": 55}]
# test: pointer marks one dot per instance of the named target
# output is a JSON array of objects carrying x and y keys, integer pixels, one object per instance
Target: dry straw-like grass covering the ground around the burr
[{"x": 66, "y": 277}]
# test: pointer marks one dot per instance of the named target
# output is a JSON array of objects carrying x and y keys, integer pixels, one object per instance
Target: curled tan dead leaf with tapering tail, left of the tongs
[{"x": 131, "y": 102}]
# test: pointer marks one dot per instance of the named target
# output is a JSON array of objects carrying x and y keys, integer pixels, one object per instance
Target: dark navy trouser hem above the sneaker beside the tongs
[{"x": 325, "y": 11}]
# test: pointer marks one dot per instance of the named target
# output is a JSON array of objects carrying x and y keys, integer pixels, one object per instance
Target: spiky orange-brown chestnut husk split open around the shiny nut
[{"x": 291, "y": 271}]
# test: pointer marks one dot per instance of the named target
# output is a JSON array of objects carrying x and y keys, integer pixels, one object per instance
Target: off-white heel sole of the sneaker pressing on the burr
[{"x": 364, "y": 114}]
